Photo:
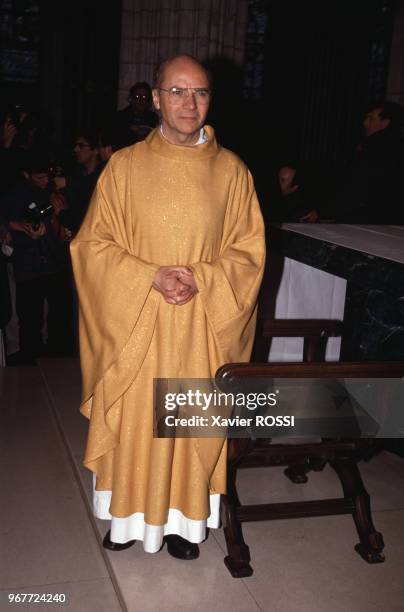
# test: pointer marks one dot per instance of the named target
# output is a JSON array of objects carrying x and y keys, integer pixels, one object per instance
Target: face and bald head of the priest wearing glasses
[{"x": 182, "y": 120}]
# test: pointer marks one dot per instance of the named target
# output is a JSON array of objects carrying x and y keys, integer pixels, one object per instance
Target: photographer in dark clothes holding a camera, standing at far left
[{"x": 40, "y": 275}]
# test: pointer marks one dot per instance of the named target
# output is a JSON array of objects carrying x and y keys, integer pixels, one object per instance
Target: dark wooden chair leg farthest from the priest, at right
[{"x": 371, "y": 542}]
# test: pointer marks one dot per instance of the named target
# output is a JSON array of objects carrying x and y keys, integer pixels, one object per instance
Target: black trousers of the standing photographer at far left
[{"x": 30, "y": 299}]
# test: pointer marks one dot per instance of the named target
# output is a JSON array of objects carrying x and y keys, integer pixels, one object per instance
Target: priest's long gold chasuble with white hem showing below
[{"x": 159, "y": 204}]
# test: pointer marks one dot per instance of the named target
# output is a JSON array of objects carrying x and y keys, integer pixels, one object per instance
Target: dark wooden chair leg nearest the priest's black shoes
[{"x": 238, "y": 559}]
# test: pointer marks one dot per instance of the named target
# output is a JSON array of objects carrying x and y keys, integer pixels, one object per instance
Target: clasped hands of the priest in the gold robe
[{"x": 176, "y": 284}]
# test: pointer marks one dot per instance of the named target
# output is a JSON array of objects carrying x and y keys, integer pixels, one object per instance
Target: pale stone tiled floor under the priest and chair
[{"x": 51, "y": 544}]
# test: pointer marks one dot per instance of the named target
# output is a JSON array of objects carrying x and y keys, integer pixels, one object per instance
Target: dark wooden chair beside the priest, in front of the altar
[{"x": 342, "y": 454}]
